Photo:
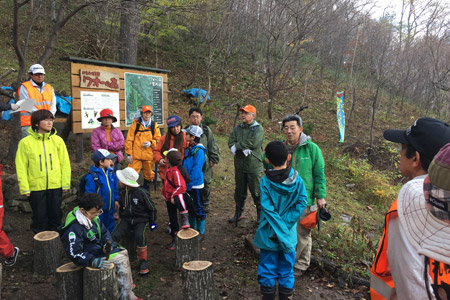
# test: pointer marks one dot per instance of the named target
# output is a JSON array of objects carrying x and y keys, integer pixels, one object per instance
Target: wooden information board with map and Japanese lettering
[{"x": 137, "y": 86}]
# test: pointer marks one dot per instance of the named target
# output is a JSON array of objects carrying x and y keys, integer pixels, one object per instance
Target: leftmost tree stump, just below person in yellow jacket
[{"x": 47, "y": 252}]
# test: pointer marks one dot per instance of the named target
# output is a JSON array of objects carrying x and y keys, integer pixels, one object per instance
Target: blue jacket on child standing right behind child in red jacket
[{"x": 193, "y": 162}]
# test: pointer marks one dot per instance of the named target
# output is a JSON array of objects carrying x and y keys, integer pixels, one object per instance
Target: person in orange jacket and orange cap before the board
[{"x": 142, "y": 137}]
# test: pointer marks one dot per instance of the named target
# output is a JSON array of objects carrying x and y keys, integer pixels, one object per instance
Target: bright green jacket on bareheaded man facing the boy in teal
[{"x": 308, "y": 161}]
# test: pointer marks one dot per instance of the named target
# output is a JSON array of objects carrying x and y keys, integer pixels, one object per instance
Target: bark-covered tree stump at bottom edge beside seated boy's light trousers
[{"x": 99, "y": 284}]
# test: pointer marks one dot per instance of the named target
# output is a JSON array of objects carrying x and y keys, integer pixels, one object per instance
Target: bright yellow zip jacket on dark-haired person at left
[{"x": 42, "y": 162}]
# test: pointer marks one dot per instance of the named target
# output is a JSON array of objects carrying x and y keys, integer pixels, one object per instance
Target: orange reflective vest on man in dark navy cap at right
[{"x": 381, "y": 282}]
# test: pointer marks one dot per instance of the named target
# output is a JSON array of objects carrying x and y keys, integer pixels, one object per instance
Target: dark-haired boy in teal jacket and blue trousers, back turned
[{"x": 283, "y": 199}]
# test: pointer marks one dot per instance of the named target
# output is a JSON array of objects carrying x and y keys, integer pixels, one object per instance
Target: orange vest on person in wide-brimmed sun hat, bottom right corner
[{"x": 440, "y": 279}]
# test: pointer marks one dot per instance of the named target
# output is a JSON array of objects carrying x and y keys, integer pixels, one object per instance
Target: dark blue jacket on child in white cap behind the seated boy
[{"x": 109, "y": 186}]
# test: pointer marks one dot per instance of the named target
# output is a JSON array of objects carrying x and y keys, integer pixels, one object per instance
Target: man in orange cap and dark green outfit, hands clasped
[{"x": 245, "y": 143}]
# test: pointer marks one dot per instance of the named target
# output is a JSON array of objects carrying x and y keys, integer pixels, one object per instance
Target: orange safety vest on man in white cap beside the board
[{"x": 41, "y": 101}]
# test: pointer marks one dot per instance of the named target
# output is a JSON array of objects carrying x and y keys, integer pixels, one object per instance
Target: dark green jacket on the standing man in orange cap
[{"x": 250, "y": 136}]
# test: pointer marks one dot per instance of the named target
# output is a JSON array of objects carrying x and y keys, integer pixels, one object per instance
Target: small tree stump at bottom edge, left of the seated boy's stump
[{"x": 69, "y": 282}]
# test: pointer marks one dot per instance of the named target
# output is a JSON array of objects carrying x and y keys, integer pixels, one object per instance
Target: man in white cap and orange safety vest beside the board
[{"x": 42, "y": 93}]
